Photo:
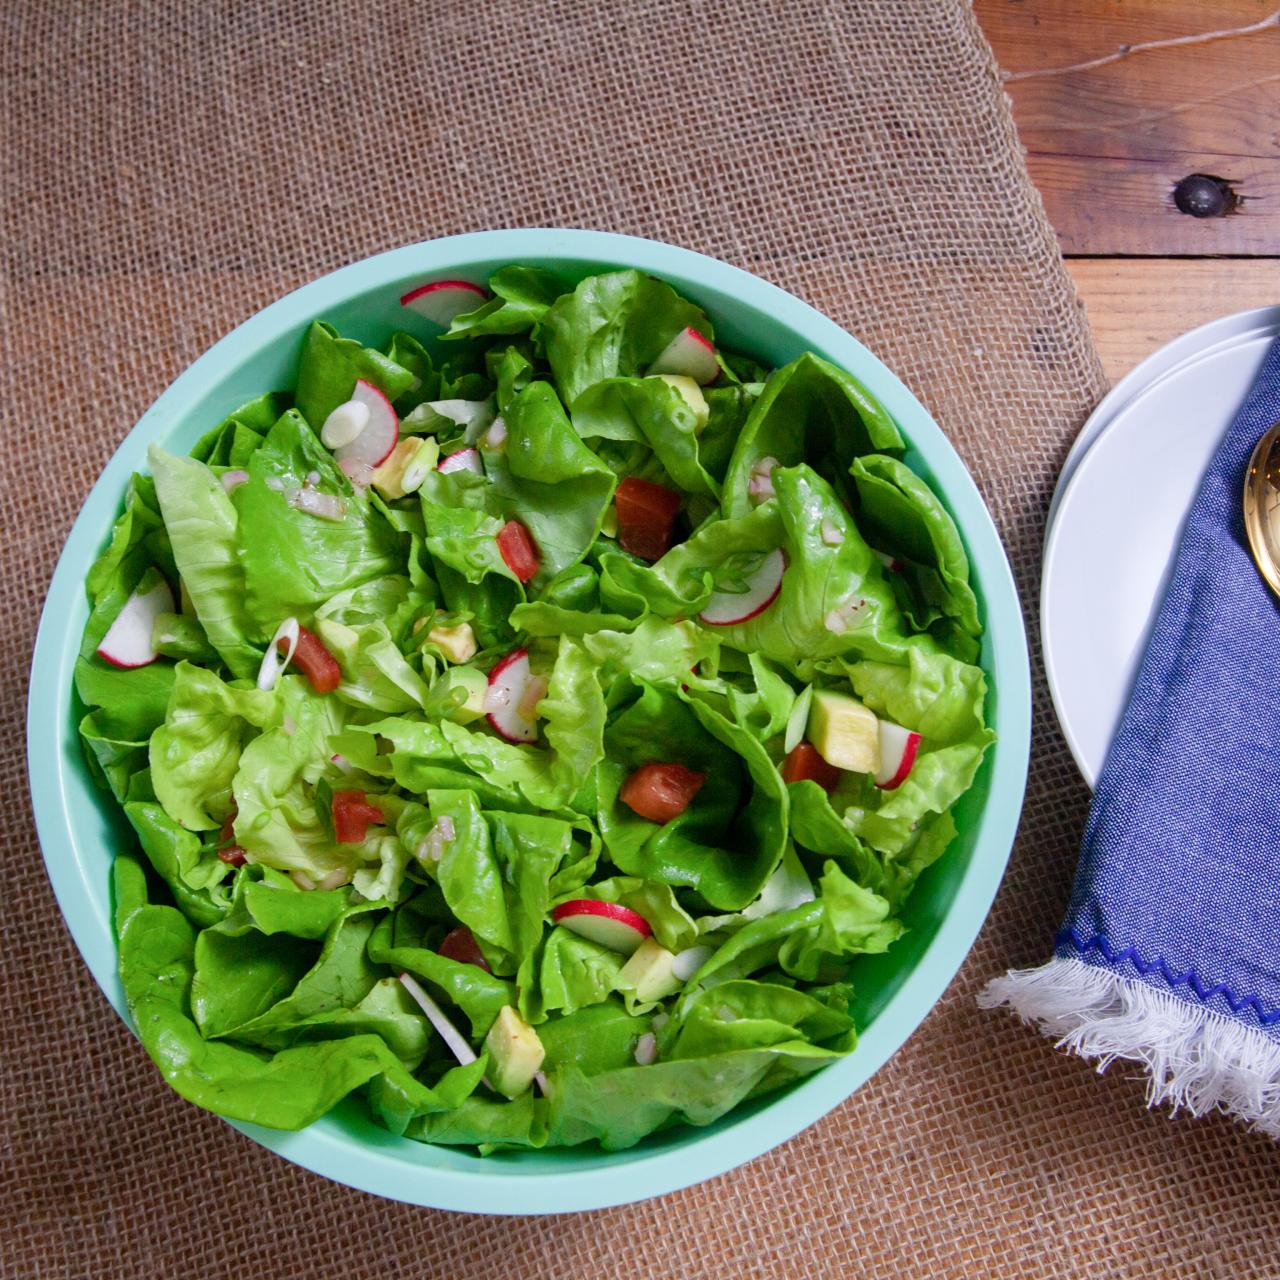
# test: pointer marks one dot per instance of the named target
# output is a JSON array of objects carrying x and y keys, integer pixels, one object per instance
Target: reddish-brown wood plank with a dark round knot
[{"x": 1107, "y": 145}]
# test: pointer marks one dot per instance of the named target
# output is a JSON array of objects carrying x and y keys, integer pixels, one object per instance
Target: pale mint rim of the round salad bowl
[{"x": 707, "y": 1154}]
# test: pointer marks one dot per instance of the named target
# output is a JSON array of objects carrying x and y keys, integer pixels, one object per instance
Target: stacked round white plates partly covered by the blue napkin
[{"x": 1118, "y": 513}]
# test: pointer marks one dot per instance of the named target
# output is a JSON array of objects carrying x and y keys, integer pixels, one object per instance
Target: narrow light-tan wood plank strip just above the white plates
[{"x": 1137, "y": 307}]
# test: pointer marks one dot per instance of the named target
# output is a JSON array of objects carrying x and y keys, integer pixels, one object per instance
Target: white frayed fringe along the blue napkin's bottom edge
[{"x": 1195, "y": 1058}]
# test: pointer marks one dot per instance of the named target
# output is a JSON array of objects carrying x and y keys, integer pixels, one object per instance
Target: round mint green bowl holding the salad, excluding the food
[{"x": 80, "y": 829}]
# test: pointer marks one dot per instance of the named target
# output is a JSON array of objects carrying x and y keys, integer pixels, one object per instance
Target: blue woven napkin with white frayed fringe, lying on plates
[{"x": 1171, "y": 952}]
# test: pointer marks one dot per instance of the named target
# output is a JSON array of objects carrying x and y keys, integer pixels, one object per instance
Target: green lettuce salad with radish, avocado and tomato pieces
[{"x": 525, "y": 724}]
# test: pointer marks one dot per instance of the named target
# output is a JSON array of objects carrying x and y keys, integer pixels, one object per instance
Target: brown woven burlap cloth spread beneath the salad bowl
[{"x": 167, "y": 170}]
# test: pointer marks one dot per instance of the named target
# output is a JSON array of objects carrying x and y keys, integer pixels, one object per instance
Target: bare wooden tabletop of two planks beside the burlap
[{"x": 1116, "y": 108}]
